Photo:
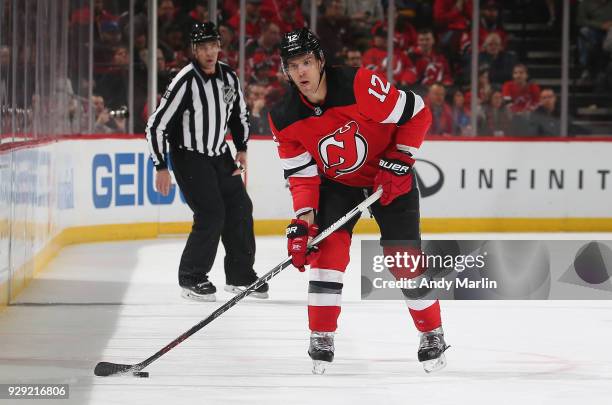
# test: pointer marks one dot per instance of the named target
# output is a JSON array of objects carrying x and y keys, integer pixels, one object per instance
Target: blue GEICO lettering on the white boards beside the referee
[{"x": 127, "y": 179}]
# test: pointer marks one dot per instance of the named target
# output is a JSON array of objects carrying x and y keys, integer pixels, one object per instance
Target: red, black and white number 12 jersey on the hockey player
[{"x": 343, "y": 138}]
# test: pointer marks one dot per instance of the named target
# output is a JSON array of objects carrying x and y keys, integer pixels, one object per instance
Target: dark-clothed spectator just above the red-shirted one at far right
[{"x": 499, "y": 62}]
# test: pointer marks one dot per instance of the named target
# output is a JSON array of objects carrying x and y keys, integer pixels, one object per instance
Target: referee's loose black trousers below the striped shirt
[{"x": 221, "y": 209}]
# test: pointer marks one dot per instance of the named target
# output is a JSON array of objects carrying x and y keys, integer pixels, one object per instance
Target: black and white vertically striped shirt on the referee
[{"x": 196, "y": 111}]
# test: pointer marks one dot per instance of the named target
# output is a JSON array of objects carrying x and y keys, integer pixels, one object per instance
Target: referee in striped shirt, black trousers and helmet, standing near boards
[{"x": 200, "y": 104}]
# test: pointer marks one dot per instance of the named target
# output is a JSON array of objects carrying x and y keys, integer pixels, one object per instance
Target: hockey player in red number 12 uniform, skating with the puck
[{"x": 341, "y": 133}]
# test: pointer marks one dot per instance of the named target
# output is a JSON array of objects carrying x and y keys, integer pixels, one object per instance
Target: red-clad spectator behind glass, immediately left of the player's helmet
[{"x": 263, "y": 56}]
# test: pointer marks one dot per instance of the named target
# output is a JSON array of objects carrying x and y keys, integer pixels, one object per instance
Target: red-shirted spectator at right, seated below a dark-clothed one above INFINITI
[{"x": 522, "y": 95}]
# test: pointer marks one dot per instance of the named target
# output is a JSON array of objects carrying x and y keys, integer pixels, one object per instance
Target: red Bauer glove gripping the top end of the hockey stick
[{"x": 394, "y": 176}]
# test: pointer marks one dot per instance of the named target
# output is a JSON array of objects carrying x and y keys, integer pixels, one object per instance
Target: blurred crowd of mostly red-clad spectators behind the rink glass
[{"x": 432, "y": 56}]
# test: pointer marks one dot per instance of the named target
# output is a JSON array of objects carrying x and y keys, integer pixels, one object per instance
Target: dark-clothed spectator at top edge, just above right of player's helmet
[{"x": 334, "y": 31}]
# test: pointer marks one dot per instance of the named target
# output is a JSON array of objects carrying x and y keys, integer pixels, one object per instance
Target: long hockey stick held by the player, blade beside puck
[{"x": 105, "y": 368}]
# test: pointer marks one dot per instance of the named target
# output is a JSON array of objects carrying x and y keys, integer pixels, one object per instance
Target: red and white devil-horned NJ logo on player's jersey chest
[{"x": 343, "y": 151}]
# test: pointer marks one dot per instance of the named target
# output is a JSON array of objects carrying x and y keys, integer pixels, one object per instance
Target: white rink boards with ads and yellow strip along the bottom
[{"x": 93, "y": 188}]
